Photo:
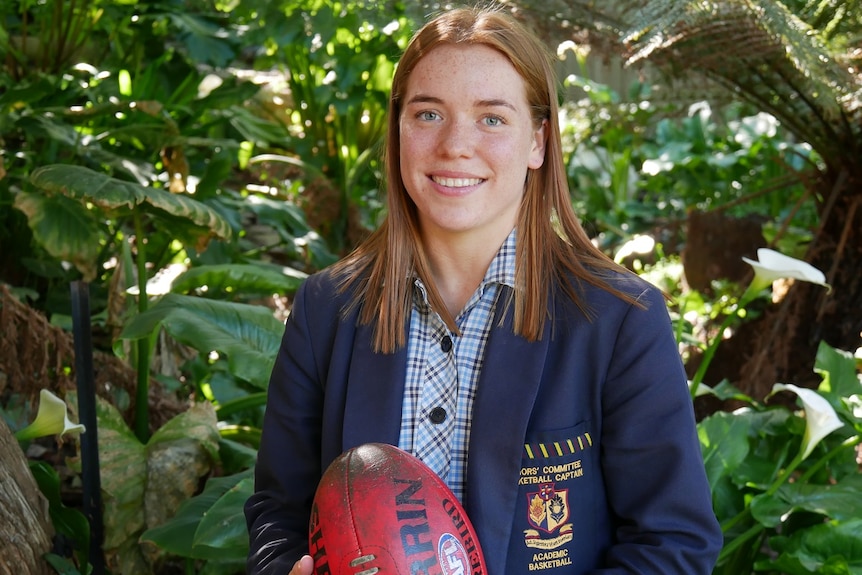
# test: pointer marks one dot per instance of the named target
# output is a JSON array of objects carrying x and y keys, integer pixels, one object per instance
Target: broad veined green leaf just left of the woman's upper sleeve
[{"x": 248, "y": 335}]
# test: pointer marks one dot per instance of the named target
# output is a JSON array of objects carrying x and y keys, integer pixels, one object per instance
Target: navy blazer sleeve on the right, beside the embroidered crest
[{"x": 651, "y": 459}]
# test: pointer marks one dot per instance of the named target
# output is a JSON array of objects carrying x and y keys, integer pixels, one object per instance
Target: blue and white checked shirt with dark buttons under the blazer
[{"x": 443, "y": 370}]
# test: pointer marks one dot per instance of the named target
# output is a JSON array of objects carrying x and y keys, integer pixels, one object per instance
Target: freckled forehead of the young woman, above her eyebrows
[{"x": 472, "y": 67}]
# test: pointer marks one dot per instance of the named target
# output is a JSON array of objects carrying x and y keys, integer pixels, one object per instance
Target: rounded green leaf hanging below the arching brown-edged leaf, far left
[{"x": 65, "y": 228}]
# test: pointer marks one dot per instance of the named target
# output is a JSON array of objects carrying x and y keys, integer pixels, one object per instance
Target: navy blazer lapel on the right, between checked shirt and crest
[{"x": 504, "y": 401}]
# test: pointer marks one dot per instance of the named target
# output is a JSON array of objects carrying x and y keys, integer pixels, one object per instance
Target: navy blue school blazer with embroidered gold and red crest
[{"x": 583, "y": 450}]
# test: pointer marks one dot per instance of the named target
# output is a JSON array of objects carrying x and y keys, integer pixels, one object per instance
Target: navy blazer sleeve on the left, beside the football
[{"x": 288, "y": 463}]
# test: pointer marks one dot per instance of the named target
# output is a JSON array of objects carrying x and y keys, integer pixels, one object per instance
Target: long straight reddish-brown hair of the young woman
[{"x": 552, "y": 247}]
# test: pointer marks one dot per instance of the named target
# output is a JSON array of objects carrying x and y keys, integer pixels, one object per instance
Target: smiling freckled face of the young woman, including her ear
[{"x": 467, "y": 140}]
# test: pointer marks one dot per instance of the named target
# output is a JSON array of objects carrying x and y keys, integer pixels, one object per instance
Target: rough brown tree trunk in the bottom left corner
[{"x": 25, "y": 528}]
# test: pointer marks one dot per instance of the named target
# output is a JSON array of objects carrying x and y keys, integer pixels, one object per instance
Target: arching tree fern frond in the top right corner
[{"x": 764, "y": 53}]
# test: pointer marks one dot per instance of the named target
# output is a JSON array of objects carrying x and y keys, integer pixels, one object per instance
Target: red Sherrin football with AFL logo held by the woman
[{"x": 380, "y": 509}]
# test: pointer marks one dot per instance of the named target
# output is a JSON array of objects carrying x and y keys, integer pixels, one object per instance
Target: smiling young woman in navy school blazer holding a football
[{"x": 479, "y": 329}]
